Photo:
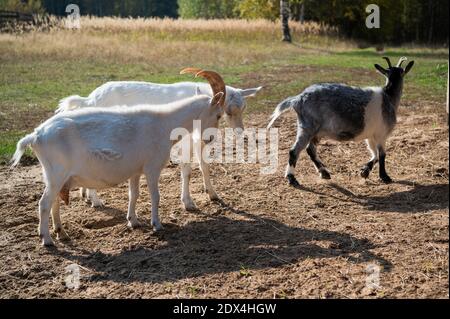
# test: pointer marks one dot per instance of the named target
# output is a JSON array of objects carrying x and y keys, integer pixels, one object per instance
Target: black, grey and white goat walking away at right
[{"x": 346, "y": 113}]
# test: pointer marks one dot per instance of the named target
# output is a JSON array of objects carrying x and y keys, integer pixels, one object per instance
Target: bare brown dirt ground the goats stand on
[{"x": 265, "y": 240}]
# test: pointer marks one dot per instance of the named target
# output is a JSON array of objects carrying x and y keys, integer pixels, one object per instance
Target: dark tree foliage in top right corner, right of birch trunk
[{"x": 401, "y": 20}]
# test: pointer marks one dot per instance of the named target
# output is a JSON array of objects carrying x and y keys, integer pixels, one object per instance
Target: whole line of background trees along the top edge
[{"x": 420, "y": 21}]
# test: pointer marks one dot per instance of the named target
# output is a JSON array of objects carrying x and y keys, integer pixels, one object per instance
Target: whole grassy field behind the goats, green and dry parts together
[{"x": 38, "y": 69}]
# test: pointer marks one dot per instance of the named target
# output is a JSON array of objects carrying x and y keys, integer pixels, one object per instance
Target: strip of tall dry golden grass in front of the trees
[{"x": 167, "y": 41}]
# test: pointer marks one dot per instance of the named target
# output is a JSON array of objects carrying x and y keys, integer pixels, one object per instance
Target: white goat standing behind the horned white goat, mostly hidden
[{"x": 135, "y": 93}]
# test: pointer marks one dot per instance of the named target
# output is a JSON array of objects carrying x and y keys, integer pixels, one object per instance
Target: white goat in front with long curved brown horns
[{"x": 103, "y": 147}]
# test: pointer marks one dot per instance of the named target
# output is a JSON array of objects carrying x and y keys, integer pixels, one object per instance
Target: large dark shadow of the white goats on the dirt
[{"x": 221, "y": 245}]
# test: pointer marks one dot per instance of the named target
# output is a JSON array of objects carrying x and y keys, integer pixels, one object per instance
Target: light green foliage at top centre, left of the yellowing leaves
[{"x": 207, "y": 9}]
